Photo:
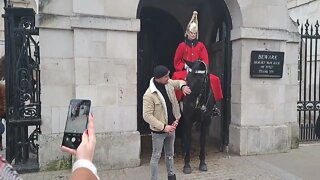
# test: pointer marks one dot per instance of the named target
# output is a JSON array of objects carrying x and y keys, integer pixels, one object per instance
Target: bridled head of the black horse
[{"x": 198, "y": 76}]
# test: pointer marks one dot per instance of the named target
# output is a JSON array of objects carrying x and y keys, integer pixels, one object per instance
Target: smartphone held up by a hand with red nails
[{"x": 77, "y": 121}]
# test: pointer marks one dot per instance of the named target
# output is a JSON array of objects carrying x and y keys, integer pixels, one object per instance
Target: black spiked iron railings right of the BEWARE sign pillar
[{"x": 308, "y": 105}]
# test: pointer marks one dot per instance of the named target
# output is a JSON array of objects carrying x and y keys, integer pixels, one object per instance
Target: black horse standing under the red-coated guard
[{"x": 198, "y": 108}]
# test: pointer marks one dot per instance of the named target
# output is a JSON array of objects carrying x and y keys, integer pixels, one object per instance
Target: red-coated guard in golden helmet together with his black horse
[{"x": 191, "y": 64}]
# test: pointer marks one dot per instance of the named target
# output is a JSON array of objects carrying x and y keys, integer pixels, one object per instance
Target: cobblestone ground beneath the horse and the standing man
[{"x": 220, "y": 166}]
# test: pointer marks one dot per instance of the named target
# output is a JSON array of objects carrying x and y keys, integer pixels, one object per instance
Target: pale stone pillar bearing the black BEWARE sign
[{"x": 263, "y": 111}]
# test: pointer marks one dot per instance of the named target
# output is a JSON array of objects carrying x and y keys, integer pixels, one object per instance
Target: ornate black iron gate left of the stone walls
[{"x": 22, "y": 79}]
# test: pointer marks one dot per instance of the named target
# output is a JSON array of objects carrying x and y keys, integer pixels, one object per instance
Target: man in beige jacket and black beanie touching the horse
[{"x": 161, "y": 110}]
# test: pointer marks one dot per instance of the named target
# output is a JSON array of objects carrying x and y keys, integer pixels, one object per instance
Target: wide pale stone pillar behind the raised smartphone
[{"x": 89, "y": 50}]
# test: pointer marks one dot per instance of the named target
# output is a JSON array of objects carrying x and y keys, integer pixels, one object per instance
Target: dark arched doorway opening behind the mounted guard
[{"x": 162, "y": 29}]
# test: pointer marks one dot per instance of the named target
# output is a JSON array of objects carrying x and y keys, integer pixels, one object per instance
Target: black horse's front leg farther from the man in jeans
[{"x": 203, "y": 137}]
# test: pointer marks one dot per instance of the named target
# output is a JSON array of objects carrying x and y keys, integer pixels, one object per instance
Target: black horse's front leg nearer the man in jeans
[{"x": 187, "y": 138}]
